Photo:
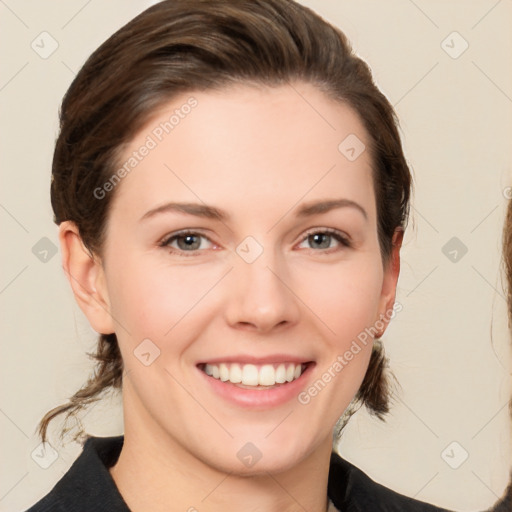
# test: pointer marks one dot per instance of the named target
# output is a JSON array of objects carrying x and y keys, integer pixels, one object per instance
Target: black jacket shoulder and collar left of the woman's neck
[{"x": 87, "y": 485}]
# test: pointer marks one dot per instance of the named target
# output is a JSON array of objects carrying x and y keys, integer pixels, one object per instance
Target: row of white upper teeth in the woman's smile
[{"x": 254, "y": 375}]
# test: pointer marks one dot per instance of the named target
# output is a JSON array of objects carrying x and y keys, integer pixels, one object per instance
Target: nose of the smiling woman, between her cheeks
[{"x": 260, "y": 297}]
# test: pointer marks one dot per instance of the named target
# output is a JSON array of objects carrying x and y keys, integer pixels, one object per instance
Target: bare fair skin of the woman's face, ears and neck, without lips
[{"x": 259, "y": 154}]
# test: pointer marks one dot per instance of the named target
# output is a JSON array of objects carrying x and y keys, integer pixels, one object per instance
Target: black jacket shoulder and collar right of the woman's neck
[{"x": 353, "y": 490}]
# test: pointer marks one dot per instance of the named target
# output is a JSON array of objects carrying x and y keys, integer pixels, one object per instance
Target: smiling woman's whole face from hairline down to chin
[{"x": 269, "y": 271}]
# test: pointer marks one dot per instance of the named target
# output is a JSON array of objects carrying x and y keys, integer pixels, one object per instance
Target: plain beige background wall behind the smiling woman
[{"x": 449, "y": 347}]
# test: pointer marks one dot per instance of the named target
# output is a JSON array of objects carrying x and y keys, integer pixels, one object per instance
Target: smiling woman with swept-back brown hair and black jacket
[{"x": 231, "y": 194}]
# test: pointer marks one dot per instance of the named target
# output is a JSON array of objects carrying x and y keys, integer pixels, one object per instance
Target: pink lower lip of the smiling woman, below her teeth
[{"x": 258, "y": 398}]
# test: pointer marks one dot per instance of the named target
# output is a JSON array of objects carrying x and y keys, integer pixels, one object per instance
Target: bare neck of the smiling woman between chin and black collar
[{"x": 171, "y": 476}]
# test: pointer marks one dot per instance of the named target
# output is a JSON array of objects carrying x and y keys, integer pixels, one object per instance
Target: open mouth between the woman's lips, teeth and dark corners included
[{"x": 255, "y": 376}]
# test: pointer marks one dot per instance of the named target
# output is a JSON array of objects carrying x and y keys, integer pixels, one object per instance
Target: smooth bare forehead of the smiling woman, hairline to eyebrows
[{"x": 248, "y": 147}]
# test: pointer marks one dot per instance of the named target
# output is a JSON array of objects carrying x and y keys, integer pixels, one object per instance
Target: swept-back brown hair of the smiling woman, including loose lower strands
[{"x": 185, "y": 45}]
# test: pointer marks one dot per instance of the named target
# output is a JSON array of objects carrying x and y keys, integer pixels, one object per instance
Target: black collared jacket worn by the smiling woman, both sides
[{"x": 88, "y": 486}]
